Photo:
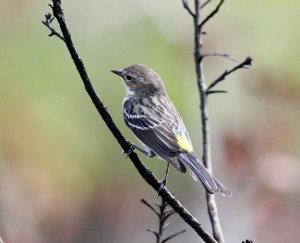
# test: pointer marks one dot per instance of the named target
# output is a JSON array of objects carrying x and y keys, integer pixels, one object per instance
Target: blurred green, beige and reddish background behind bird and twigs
[{"x": 62, "y": 175}]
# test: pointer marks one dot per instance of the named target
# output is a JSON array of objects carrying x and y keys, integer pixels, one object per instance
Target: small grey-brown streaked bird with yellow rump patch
[{"x": 154, "y": 120}]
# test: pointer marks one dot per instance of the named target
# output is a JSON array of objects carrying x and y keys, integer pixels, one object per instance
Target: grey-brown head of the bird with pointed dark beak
[{"x": 141, "y": 80}]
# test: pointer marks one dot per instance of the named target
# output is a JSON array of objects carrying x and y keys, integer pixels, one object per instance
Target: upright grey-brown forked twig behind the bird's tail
[{"x": 204, "y": 91}]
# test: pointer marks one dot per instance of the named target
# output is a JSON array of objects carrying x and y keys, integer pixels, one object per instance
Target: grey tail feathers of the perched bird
[{"x": 199, "y": 172}]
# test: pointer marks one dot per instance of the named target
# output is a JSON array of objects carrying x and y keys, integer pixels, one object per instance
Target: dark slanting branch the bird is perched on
[{"x": 144, "y": 171}]
